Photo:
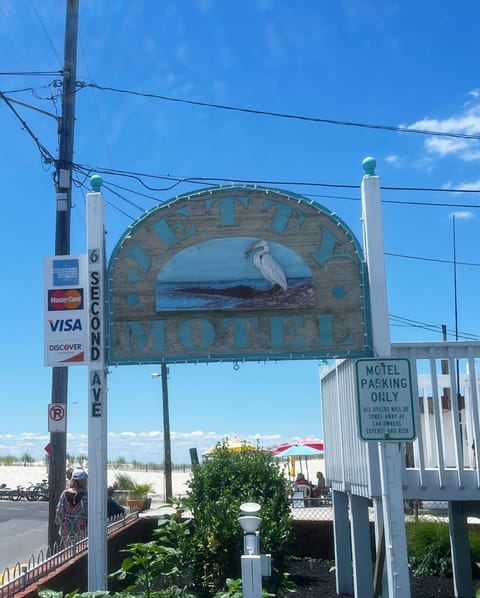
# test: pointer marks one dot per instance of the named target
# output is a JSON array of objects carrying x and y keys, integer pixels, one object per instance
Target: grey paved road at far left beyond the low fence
[{"x": 23, "y": 531}]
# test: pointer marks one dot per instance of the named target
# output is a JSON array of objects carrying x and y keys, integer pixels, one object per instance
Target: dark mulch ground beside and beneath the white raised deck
[{"x": 315, "y": 579}]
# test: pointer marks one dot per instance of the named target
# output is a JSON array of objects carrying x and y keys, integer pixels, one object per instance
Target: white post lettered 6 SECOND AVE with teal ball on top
[{"x": 97, "y": 393}]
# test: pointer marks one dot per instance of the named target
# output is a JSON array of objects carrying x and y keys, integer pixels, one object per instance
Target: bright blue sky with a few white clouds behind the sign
[{"x": 393, "y": 64}]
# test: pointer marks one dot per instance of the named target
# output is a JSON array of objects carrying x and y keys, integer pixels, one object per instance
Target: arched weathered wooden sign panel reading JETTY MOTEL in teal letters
[{"x": 234, "y": 274}]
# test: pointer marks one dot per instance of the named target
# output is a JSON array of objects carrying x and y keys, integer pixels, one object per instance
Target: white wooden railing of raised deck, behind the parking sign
[{"x": 441, "y": 463}]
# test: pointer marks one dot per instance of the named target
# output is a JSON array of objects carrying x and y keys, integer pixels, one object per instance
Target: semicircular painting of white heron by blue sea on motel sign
[{"x": 234, "y": 273}]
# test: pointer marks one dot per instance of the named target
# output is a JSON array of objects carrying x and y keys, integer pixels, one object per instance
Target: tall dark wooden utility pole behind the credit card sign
[{"x": 63, "y": 186}]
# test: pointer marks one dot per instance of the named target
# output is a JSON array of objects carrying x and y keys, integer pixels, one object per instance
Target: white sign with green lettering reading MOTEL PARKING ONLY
[{"x": 385, "y": 400}]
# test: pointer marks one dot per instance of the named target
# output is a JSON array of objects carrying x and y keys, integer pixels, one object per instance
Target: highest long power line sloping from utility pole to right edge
[{"x": 286, "y": 115}]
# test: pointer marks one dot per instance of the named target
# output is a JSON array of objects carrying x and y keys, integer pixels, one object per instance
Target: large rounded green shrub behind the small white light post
[{"x": 216, "y": 490}]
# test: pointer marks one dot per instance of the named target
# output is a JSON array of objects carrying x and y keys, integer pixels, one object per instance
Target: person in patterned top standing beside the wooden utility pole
[{"x": 72, "y": 509}]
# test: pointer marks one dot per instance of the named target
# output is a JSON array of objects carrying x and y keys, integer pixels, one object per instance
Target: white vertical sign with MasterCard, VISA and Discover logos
[{"x": 65, "y": 317}]
